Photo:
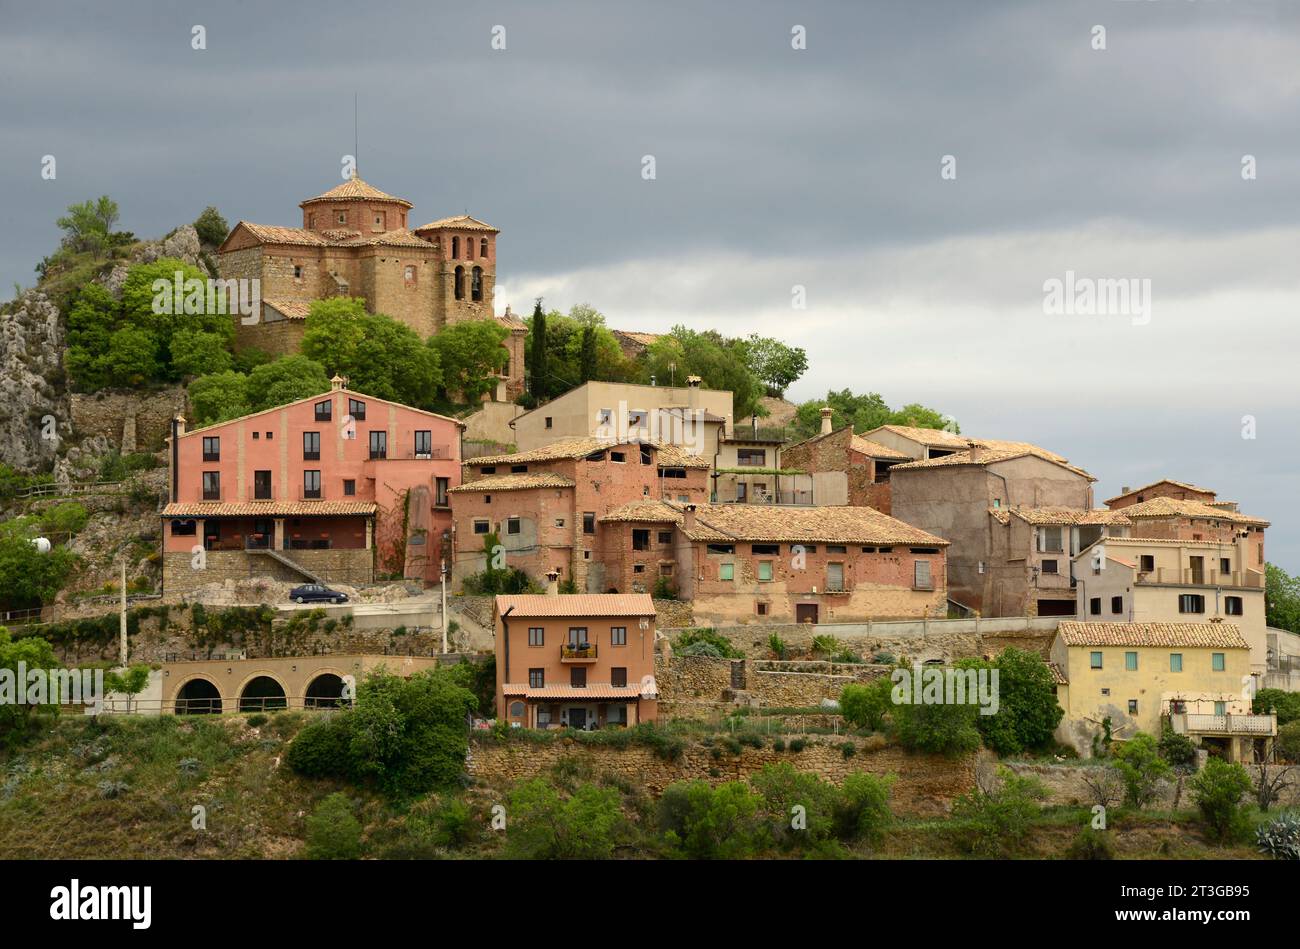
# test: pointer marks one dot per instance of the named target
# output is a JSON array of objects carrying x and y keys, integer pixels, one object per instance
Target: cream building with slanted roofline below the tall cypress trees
[{"x": 690, "y": 417}]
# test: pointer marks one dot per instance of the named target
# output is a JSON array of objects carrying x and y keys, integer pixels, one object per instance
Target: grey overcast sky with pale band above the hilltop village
[{"x": 774, "y": 168}]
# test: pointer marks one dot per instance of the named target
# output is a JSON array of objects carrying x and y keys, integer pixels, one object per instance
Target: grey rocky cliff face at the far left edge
[{"x": 33, "y": 411}]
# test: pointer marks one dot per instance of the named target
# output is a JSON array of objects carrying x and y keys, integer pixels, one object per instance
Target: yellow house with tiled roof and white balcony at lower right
[{"x": 1134, "y": 674}]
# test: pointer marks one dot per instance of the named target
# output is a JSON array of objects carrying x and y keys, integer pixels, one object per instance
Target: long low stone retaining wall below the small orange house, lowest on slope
[{"x": 926, "y": 785}]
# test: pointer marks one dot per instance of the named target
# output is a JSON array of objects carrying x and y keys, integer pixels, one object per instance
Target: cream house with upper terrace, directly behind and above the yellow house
[{"x": 1159, "y": 580}]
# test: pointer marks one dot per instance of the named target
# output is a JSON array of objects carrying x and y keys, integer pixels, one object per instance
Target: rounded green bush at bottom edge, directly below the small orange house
[{"x": 543, "y": 826}]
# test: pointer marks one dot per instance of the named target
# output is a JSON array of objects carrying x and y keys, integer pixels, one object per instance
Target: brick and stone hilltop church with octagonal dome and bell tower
[{"x": 357, "y": 241}]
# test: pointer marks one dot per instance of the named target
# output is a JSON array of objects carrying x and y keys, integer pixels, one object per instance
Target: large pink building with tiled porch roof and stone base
[{"x": 335, "y": 488}]
